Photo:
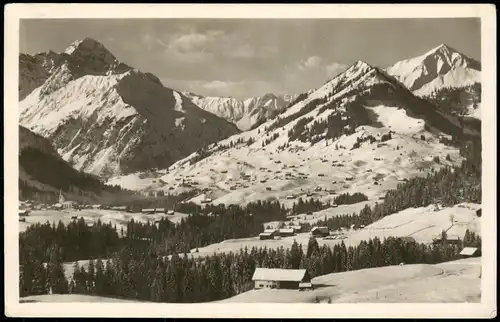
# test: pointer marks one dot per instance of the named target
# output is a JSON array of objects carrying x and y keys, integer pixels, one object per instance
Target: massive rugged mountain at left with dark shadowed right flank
[{"x": 106, "y": 118}]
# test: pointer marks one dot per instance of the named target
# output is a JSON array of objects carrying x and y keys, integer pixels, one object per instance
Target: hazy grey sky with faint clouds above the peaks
[{"x": 251, "y": 57}]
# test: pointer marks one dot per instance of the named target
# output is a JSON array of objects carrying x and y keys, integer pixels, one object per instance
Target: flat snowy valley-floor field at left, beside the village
[{"x": 117, "y": 218}]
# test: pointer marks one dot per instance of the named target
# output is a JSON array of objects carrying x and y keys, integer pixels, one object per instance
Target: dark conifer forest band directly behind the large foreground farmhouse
[{"x": 219, "y": 276}]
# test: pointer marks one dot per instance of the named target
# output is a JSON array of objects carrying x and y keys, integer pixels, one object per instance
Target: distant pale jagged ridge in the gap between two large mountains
[{"x": 246, "y": 113}]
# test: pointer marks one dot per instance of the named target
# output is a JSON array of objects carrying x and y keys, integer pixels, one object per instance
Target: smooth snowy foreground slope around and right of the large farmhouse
[{"x": 456, "y": 281}]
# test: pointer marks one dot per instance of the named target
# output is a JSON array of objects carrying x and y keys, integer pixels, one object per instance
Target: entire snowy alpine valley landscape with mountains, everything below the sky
[{"x": 384, "y": 162}]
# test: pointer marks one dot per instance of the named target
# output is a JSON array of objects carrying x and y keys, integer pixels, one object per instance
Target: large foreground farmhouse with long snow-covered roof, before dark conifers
[{"x": 281, "y": 278}]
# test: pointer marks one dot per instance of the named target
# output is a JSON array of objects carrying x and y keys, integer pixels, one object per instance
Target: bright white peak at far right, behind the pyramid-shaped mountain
[{"x": 440, "y": 67}]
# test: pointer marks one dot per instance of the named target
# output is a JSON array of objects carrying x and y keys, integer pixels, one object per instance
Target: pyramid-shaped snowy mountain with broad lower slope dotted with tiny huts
[{"x": 363, "y": 131}]
